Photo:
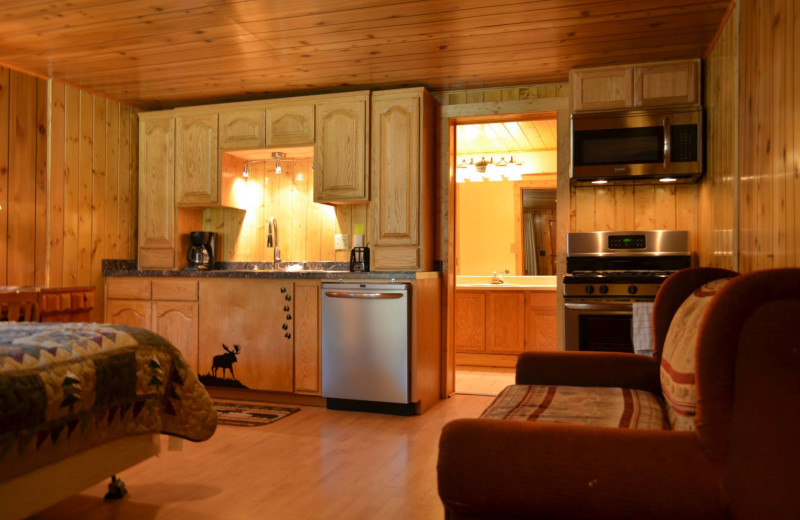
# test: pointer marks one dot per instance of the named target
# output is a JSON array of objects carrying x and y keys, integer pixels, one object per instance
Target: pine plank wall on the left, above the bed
[{"x": 60, "y": 219}]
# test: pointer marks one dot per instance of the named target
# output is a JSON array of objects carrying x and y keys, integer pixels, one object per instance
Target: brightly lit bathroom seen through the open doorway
[{"x": 505, "y": 240}]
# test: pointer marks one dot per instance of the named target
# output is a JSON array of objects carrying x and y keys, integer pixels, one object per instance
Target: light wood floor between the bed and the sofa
[{"x": 314, "y": 464}]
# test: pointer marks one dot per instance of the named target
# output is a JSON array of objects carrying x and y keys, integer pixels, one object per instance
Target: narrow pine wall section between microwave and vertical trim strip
[{"x": 717, "y": 206}]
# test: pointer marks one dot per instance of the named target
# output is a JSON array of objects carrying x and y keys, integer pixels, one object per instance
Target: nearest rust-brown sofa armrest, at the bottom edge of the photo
[{"x": 516, "y": 469}]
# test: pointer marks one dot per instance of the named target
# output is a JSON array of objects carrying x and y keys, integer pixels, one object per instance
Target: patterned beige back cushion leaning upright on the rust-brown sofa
[{"x": 678, "y": 359}]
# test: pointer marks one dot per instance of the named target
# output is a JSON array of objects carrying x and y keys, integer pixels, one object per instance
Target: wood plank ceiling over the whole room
[{"x": 160, "y": 53}]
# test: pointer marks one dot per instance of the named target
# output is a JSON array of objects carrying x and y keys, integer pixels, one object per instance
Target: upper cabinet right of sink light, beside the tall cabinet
[{"x": 340, "y": 150}]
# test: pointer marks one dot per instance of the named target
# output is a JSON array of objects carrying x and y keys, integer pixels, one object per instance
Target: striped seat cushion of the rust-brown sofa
[{"x": 590, "y": 406}]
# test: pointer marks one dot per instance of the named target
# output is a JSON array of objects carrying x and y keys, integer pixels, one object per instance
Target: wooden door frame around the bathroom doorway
[{"x": 451, "y": 115}]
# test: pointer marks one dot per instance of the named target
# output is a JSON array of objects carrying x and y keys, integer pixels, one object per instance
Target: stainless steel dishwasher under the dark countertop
[{"x": 365, "y": 347}]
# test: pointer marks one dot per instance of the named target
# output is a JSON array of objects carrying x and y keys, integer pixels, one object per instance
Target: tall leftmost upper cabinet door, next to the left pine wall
[{"x": 157, "y": 231}]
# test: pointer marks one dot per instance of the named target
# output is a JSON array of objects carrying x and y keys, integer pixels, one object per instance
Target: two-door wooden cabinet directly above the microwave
[{"x": 639, "y": 85}]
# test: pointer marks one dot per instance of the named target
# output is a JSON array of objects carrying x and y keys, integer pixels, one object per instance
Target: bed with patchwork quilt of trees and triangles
[{"x": 82, "y": 401}]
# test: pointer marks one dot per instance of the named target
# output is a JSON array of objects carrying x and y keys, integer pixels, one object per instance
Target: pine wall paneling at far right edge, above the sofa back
[{"x": 769, "y": 150}]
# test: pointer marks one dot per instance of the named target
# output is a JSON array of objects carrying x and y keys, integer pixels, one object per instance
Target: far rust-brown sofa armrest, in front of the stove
[{"x": 589, "y": 369}]
